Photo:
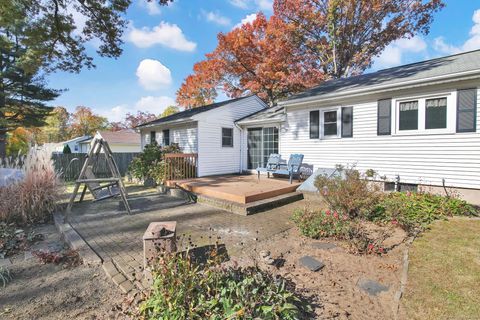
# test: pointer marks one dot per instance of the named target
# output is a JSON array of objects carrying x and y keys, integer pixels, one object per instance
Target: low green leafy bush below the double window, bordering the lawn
[{"x": 415, "y": 211}]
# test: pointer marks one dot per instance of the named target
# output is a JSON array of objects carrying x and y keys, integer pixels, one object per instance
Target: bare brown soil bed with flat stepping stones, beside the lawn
[{"x": 334, "y": 289}]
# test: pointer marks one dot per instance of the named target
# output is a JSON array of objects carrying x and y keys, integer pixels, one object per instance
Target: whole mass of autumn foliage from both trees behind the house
[{"x": 303, "y": 43}]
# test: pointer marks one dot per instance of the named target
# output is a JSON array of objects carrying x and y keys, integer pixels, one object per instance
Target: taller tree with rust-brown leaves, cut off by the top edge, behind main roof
[{"x": 346, "y": 35}]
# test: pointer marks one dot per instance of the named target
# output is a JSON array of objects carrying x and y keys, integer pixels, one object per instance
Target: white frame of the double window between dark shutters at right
[{"x": 451, "y": 114}]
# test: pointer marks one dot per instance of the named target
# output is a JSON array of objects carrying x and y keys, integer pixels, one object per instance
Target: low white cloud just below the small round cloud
[{"x": 152, "y": 104}]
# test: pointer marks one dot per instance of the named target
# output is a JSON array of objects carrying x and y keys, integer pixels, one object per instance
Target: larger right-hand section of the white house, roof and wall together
[{"x": 417, "y": 122}]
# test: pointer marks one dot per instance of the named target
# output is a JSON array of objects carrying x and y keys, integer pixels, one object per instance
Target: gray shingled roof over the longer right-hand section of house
[{"x": 467, "y": 61}]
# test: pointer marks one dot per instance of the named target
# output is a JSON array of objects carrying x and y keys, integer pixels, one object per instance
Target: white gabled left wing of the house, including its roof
[{"x": 210, "y": 131}]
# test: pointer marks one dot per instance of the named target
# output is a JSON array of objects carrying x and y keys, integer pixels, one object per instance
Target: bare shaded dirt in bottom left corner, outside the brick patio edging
[{"x": 52, "y": 291}]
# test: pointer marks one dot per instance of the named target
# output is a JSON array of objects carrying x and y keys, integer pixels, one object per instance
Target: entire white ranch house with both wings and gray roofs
[{"x": 416, "y": 123}]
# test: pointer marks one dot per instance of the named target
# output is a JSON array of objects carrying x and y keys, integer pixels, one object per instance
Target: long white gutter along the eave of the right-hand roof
[{"x": 467, "y": 75}]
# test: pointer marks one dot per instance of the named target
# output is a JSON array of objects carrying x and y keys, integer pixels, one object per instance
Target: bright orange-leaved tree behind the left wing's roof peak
[{"x": 255, "y": 58}]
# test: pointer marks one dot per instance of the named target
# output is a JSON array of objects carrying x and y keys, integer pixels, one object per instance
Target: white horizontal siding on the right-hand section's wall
[{"x": 420, "y": 159}]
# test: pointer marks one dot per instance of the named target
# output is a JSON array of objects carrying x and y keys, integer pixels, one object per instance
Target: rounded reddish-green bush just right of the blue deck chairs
[{"x": 349, "y": 192}]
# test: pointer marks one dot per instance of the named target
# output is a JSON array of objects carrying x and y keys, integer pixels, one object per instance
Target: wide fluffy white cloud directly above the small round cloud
[{"x": 166, "y": 34}]
